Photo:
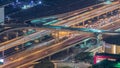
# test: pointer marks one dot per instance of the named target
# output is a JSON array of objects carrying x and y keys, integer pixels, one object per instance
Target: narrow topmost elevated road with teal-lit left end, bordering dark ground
[{"x": 57, "y": 18}]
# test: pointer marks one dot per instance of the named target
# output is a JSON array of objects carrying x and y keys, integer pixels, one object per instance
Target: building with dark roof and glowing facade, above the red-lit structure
[{"x": 112, "y": 44}]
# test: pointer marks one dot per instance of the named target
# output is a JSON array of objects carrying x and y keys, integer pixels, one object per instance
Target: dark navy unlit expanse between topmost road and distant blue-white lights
[{"x": 47, "y": 8}]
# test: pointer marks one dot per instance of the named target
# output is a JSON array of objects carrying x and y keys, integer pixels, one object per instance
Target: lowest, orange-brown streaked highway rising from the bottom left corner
[{"x": 46, "y": 51}]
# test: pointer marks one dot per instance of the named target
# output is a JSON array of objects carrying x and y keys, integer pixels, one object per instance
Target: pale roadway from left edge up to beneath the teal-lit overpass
[{"x": 23, "y": 40}]
